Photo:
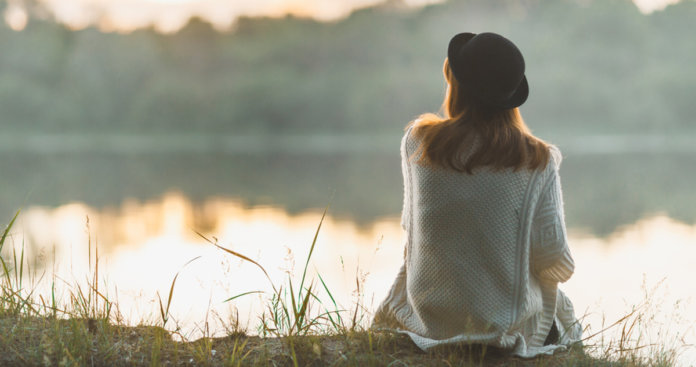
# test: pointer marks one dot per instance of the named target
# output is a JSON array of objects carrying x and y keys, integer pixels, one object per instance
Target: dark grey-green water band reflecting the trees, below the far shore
[{"x": 606, "y": 186}]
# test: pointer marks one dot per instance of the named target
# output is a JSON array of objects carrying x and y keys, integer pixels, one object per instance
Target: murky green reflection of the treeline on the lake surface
[{"x": 603, "y": 191}]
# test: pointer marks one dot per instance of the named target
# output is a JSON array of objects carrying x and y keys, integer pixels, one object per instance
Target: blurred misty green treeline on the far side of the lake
[{"x": 593, "y": 66}]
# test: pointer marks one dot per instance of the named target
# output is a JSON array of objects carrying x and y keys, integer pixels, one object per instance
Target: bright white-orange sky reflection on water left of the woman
[{"x": 142, "y": 247}]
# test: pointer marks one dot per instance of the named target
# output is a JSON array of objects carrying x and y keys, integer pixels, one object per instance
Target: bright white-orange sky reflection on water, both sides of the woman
[{"x": 143, "y": 245}]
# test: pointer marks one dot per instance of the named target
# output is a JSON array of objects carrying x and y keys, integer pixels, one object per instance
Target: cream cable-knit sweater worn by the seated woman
[{"x": 484, "y": 255}]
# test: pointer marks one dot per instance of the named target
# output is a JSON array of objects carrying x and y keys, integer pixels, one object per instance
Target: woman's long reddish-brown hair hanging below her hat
[{"x": 504, "y": 141}]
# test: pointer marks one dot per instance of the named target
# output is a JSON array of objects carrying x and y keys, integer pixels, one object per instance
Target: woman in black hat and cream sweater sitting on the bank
[{"x": 486, "y": 241}]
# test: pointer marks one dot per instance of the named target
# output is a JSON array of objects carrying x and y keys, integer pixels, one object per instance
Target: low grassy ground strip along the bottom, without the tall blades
[{"x": 47, "y": 341}]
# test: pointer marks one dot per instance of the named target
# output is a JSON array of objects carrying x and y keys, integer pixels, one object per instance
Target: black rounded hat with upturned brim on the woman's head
[{"x": 490, "y": 68}]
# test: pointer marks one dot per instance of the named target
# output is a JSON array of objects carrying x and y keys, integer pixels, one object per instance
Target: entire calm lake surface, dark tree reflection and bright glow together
[{"x": 631, "y": 216}]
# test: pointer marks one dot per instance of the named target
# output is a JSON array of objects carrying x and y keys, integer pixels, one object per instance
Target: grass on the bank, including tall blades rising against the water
[{"x": 301, "y": 325}]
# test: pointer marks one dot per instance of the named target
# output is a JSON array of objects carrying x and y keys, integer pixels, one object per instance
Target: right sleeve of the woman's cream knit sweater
[{"x": 551, "y": 258}]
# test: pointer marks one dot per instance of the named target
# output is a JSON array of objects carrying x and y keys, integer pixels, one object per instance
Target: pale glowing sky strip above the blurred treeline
[{"x": 171, "y": 15}]
